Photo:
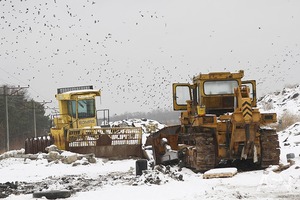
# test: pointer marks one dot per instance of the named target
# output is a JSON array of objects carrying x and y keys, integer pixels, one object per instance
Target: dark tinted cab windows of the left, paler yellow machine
[{"x": 86, "y": 108}]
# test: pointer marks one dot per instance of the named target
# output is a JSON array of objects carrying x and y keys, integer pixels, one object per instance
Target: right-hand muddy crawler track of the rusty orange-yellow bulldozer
[{"x": 270, "y": 148}]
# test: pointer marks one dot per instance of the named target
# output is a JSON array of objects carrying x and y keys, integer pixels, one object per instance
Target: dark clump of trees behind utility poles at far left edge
[{"x": 20, "y": 117}]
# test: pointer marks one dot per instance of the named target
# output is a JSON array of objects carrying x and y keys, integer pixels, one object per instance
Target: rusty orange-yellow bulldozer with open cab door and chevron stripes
[{"x": 219, "y": 121}]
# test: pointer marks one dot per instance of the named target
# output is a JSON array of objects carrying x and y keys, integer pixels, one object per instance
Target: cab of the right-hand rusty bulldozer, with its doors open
[{"x": 214, "y": 91}]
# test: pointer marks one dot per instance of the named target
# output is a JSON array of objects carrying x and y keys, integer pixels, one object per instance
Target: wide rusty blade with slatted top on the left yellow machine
[{"x": 116, "y": 142}]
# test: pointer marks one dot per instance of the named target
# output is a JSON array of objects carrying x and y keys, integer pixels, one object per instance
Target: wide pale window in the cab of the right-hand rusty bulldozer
[{"x": 220, "y": 87}]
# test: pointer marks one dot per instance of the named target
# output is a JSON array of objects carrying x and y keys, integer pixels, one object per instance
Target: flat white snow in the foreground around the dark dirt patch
[{"x": 262, "y": 184}]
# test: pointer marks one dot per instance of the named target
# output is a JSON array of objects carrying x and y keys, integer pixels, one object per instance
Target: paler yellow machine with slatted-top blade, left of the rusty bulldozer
[{"x": 79, "y": 128}]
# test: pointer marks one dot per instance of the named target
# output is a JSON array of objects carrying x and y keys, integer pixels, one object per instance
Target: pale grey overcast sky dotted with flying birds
[{"x": 134, "y": 50}]
